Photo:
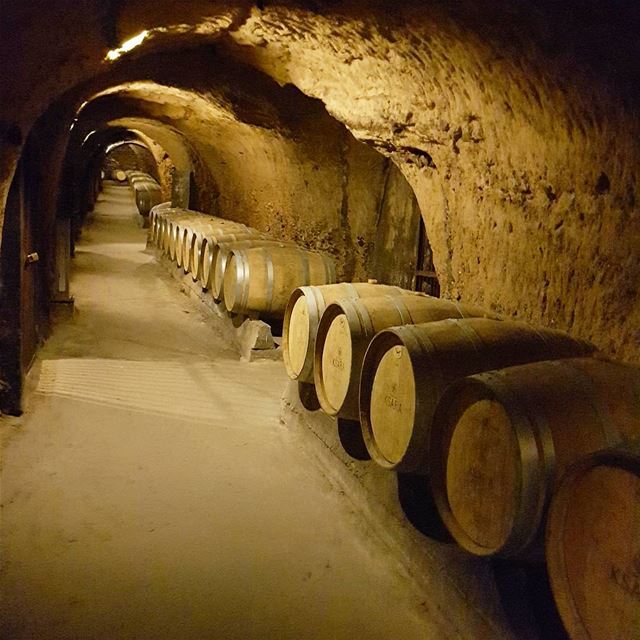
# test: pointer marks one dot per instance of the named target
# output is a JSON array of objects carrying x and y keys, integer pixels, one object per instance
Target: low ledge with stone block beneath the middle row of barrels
[{"x": 249, "y": 335}]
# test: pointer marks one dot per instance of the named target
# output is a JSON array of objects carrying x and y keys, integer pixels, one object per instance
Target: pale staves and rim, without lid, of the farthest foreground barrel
[{"x": 317, "y": 303}]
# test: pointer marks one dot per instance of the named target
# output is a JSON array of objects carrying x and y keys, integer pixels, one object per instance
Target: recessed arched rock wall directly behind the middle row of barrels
[{"x": 274, "y": 159}]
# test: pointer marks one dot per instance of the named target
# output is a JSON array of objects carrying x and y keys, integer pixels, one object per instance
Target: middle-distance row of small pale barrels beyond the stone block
[{"x": 246, "y": 269}]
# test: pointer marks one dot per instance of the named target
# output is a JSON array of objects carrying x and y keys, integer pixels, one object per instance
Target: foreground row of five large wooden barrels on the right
[{"x": 502, "y": 419}]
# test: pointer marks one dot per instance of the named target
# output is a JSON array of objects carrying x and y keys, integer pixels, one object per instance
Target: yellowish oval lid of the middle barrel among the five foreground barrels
[{"x": 392, "y": 405}]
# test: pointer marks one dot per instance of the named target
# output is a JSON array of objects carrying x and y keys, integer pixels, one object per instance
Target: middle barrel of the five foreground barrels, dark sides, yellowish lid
[{"x": 407, "y": 369}]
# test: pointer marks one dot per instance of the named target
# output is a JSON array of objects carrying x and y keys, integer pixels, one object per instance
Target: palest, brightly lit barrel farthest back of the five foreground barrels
[{"x": 302, "y": 317}]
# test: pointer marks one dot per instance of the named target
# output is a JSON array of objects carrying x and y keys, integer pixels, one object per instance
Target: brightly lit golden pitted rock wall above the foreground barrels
[{"x": 523, "y": 165}]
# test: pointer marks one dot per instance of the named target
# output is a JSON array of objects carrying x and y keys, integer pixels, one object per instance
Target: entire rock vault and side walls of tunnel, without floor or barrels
[{"x": 509, "y": 132}]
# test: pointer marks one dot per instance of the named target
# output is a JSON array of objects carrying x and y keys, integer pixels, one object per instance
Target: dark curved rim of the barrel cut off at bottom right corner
[{"x": 625, "y": 458}]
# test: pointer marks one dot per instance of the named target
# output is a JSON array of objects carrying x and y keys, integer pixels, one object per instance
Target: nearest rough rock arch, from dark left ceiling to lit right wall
[{"x": 515, "y": 123}]
